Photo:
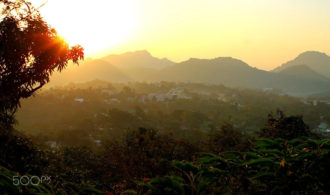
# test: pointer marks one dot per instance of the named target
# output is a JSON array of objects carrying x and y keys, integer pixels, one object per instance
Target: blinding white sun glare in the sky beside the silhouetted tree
[{"x": 96, "y": 25}]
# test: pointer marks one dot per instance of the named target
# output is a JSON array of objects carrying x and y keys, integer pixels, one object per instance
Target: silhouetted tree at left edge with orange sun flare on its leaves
[{"x": 30, "y": 51}]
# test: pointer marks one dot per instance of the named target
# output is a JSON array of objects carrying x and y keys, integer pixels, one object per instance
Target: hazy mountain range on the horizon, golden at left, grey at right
[{"x": 307, "y": 74}]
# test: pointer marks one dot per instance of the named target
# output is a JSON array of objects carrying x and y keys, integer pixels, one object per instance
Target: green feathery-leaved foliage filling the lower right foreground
[{"x": 273, "y": 167}]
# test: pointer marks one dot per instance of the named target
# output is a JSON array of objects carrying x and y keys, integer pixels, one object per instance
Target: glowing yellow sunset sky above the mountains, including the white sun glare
[{"x": 263, "y": 33}]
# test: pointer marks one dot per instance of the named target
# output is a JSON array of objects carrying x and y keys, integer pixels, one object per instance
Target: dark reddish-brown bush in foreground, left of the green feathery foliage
[{"x": 143, "y": 153}]
